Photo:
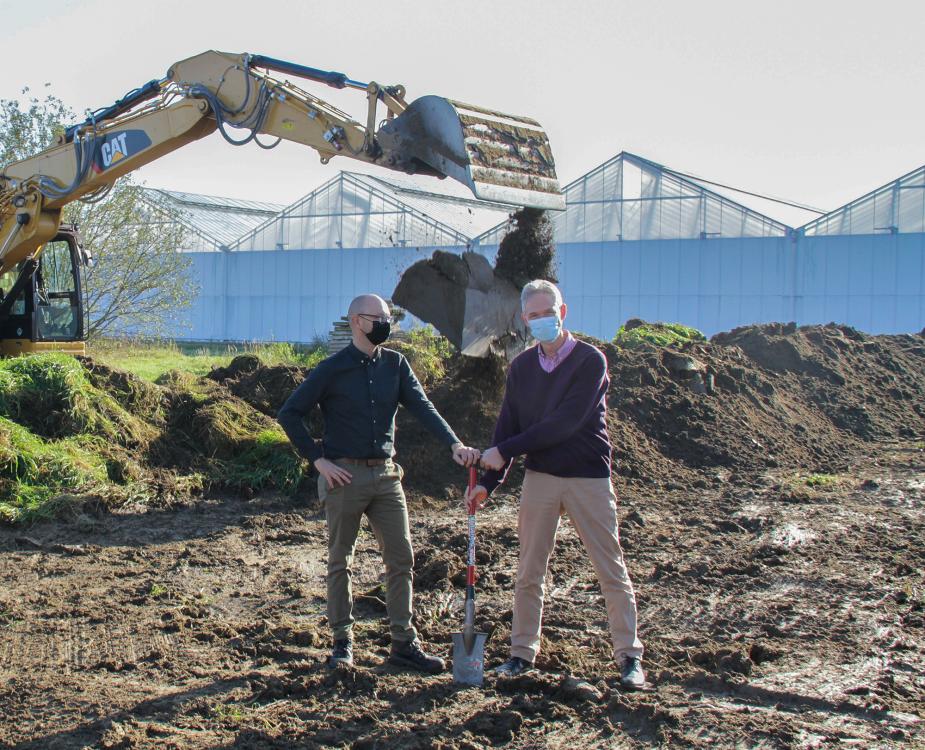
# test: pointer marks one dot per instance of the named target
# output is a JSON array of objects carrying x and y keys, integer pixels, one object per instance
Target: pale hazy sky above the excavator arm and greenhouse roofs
[{"x": 815, "y": 101}]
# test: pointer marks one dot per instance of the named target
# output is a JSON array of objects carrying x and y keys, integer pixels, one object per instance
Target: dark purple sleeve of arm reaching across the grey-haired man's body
[{"x": 583, "y": 396}]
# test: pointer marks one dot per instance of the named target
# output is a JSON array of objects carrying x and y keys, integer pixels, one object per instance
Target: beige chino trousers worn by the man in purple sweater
[{"x": 592, "y": 506}]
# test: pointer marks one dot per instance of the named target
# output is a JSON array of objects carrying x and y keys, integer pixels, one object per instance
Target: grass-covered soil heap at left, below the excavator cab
[{"x": 73, "y": 430}]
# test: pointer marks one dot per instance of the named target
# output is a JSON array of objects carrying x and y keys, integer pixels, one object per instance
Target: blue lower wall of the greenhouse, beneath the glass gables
[{"x": 875, "y": 283}]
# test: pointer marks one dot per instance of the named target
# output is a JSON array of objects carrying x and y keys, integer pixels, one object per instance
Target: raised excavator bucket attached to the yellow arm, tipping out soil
[{"x": 499, "y": 157}]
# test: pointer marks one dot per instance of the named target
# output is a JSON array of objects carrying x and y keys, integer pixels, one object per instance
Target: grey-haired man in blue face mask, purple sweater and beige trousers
[{"x": 555, "y": 413}]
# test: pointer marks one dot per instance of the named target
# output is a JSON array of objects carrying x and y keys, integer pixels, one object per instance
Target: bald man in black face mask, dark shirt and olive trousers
[{"x": 359, "y": 390}]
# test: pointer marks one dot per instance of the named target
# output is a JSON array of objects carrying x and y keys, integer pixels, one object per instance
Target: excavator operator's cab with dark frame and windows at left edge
[{"x": 41, "y": 300}]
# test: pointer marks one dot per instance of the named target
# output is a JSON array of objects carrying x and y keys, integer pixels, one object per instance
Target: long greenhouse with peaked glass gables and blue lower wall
[{"x": 636, "y": 240}]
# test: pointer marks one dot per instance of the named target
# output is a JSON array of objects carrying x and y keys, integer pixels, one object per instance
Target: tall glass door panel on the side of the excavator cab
[{"x": 56, "y": 304}]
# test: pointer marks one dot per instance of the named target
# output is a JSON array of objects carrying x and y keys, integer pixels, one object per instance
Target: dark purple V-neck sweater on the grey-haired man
[{"x": 558, "y": 418}]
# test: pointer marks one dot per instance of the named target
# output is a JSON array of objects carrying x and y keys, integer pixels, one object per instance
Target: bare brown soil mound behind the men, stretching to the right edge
[{"x": 755, "y": 398}]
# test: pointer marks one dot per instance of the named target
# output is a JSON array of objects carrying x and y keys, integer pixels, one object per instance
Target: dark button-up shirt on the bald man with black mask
[{"x": 359, "y": 396}]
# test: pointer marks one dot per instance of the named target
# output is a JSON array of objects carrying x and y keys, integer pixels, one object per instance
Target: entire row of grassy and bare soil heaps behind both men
[{"x": 681, "y": 416}]
